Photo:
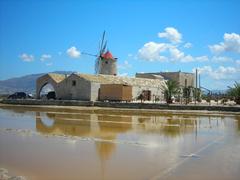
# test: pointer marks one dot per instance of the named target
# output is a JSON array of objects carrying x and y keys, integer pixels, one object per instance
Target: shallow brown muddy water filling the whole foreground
[{"x": 53, "y": 143}]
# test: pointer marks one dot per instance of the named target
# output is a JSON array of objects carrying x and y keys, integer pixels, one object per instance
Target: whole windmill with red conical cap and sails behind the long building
[{"x": 105, "y": 63}]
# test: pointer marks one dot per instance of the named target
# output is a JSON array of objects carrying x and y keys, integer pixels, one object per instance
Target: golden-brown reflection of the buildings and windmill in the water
[{"x": 108, "y": 127}]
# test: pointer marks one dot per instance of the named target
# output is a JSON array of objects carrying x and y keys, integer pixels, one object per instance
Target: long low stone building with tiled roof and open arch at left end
[{"x": 86, "y": 87}]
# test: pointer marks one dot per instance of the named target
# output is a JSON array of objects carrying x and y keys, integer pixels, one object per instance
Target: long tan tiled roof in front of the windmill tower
[{"x": 109, "y": 79}]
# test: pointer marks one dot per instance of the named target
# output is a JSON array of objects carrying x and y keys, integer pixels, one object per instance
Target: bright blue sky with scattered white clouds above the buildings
[{"x": 145, "y": 35}]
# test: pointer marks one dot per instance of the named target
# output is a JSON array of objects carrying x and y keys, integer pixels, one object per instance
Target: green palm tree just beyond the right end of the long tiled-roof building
[{"x": 170, "y": 89}]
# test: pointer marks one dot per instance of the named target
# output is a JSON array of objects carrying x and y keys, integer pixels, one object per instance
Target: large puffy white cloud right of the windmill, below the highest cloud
[{"x": 151, "y": 51}]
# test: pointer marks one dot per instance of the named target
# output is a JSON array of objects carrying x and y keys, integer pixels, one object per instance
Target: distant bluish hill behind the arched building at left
[{"x": 25, "y": 83}]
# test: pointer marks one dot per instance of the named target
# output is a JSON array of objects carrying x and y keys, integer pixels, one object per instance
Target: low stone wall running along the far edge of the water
[{"x": 122, "y": 105}]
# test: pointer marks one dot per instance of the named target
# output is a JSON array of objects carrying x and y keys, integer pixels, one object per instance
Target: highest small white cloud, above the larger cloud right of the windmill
[{"x": 171, "y": 34}]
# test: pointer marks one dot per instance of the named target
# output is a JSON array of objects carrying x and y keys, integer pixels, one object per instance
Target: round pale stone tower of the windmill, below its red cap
[{"x": 108, "y": 67}]
